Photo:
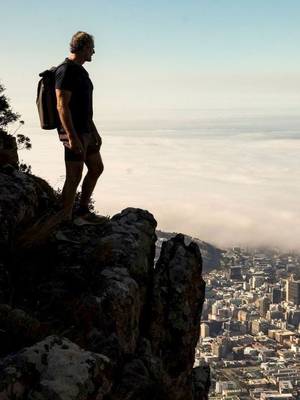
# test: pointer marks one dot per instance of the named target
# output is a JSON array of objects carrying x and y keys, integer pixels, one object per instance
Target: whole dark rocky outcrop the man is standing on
[{"x": 85, "y": 314}]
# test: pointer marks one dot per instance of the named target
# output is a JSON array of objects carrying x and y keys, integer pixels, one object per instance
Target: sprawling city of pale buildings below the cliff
[{"x": 250, "y": 330}]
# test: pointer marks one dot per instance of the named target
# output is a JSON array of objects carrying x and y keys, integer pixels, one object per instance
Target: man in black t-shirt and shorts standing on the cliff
[{"x": 78, "y": 132}]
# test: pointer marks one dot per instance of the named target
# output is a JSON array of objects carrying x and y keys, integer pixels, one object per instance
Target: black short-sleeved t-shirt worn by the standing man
[{"x": 74, "y": 78}]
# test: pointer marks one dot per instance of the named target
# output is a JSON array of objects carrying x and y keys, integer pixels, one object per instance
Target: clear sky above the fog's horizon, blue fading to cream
[{"x": 159, "y": 55}]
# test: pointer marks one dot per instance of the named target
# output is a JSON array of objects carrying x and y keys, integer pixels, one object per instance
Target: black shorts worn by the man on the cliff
[{"x": 91, "y": 143}]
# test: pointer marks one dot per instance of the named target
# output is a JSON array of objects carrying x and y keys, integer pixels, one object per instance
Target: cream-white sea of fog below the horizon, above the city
[{"x": 225, "y": 178}]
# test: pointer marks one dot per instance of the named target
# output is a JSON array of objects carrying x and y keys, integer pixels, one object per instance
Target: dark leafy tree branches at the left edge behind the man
[{"x": 11, "y": 139}]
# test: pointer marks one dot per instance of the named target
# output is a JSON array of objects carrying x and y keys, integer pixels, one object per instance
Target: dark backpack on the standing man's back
[{"x": 46, "y": 100}]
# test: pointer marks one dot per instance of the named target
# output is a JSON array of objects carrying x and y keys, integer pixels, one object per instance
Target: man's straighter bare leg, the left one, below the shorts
[{"x": 73, "y": 177}]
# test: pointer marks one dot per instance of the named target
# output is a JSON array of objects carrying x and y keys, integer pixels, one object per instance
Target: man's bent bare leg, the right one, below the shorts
[{"x": 95, "y": 168}]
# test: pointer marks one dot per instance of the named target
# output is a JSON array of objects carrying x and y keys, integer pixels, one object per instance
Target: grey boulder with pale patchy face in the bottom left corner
[{"x": 57, "y": 369}]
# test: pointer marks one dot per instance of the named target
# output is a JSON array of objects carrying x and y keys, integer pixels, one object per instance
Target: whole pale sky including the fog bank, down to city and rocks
[{"x": 200, "y": 97}]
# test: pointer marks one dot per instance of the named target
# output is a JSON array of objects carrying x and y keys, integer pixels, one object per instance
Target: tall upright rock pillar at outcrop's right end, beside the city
[{"x": 178, "y": 296}]
